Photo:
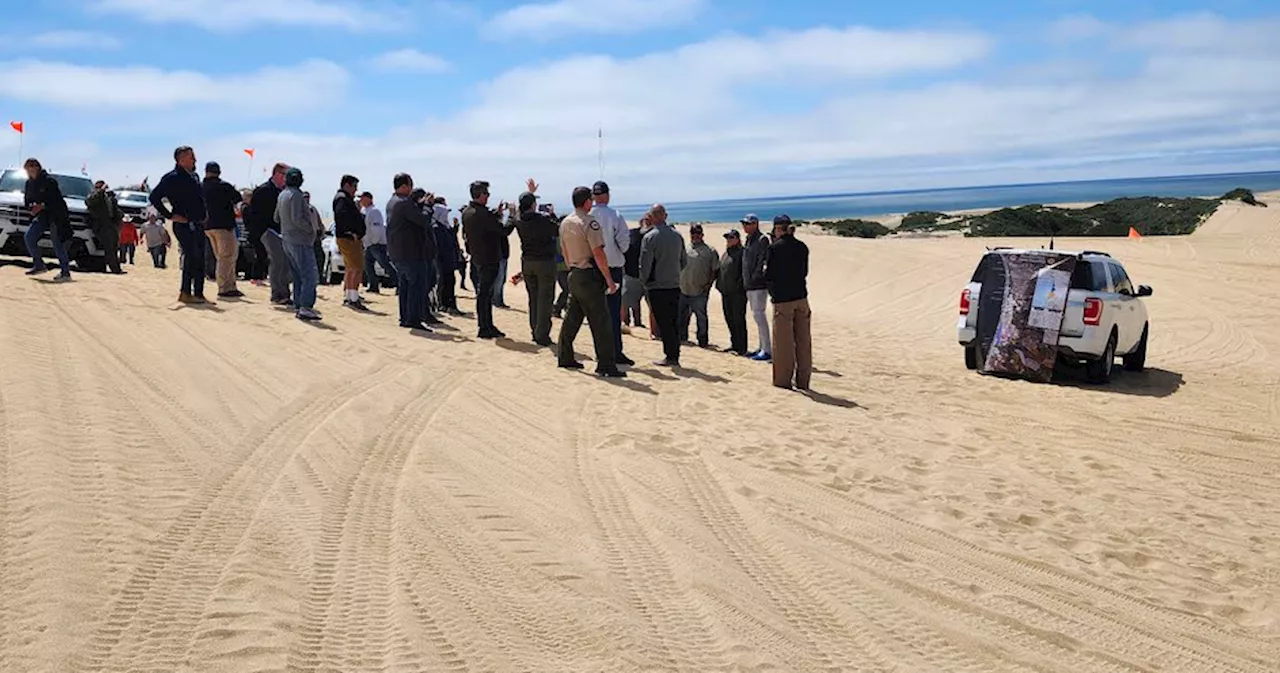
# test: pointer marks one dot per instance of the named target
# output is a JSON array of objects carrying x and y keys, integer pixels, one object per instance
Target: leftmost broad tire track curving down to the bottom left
[{"x": 159, "y": 607}]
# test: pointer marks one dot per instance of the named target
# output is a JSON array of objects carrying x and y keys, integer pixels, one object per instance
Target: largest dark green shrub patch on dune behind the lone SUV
[{"x": 1149, "y": 216}]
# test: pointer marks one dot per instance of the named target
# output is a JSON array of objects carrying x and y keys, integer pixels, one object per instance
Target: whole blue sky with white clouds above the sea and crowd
[{"x": 694, "y": 99}]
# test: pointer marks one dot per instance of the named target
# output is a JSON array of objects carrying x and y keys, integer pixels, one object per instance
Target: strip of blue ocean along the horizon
[{"x": 862, "y": 205}]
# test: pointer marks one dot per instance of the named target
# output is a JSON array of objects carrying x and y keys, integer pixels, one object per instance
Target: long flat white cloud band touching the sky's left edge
[{"x": 312, "y": 84}]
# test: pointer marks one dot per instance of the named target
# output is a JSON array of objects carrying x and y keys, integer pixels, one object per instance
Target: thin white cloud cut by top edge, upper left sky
[{"x": 234, "y": 15}]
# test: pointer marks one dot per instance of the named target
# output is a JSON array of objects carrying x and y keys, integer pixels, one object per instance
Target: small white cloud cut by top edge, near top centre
[{"x": 575, "y": 17}]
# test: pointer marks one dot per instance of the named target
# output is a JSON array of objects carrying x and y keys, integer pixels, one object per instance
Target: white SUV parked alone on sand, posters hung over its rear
[{"x": 1105, "y": 317}]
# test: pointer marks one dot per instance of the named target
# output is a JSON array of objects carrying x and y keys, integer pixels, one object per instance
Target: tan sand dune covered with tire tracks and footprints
[{"x": 232, "y": 491}]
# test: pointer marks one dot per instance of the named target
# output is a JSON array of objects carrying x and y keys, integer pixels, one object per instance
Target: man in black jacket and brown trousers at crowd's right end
[{"x": 785, "y": 274}]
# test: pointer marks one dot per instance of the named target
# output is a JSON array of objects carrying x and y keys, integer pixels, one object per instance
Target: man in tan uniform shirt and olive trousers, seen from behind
[{"x": 583, "y": 244}]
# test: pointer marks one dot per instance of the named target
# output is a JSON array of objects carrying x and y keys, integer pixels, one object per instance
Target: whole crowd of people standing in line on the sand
[{"x": 605, "y": 271}]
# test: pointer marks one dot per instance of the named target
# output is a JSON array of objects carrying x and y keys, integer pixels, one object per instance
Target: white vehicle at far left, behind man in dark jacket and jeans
[{"x": 84, "y": 248}]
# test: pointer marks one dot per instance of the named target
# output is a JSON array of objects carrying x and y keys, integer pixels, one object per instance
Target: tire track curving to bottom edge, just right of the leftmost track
[{"x": 349, "y": 614}]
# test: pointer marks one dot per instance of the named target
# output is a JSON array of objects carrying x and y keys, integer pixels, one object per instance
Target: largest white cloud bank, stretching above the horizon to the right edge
[{"x": 861, "y": 109}]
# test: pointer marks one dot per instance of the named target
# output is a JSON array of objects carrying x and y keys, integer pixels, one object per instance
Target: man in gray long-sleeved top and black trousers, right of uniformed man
[{"x": 662, "y": 260}]
